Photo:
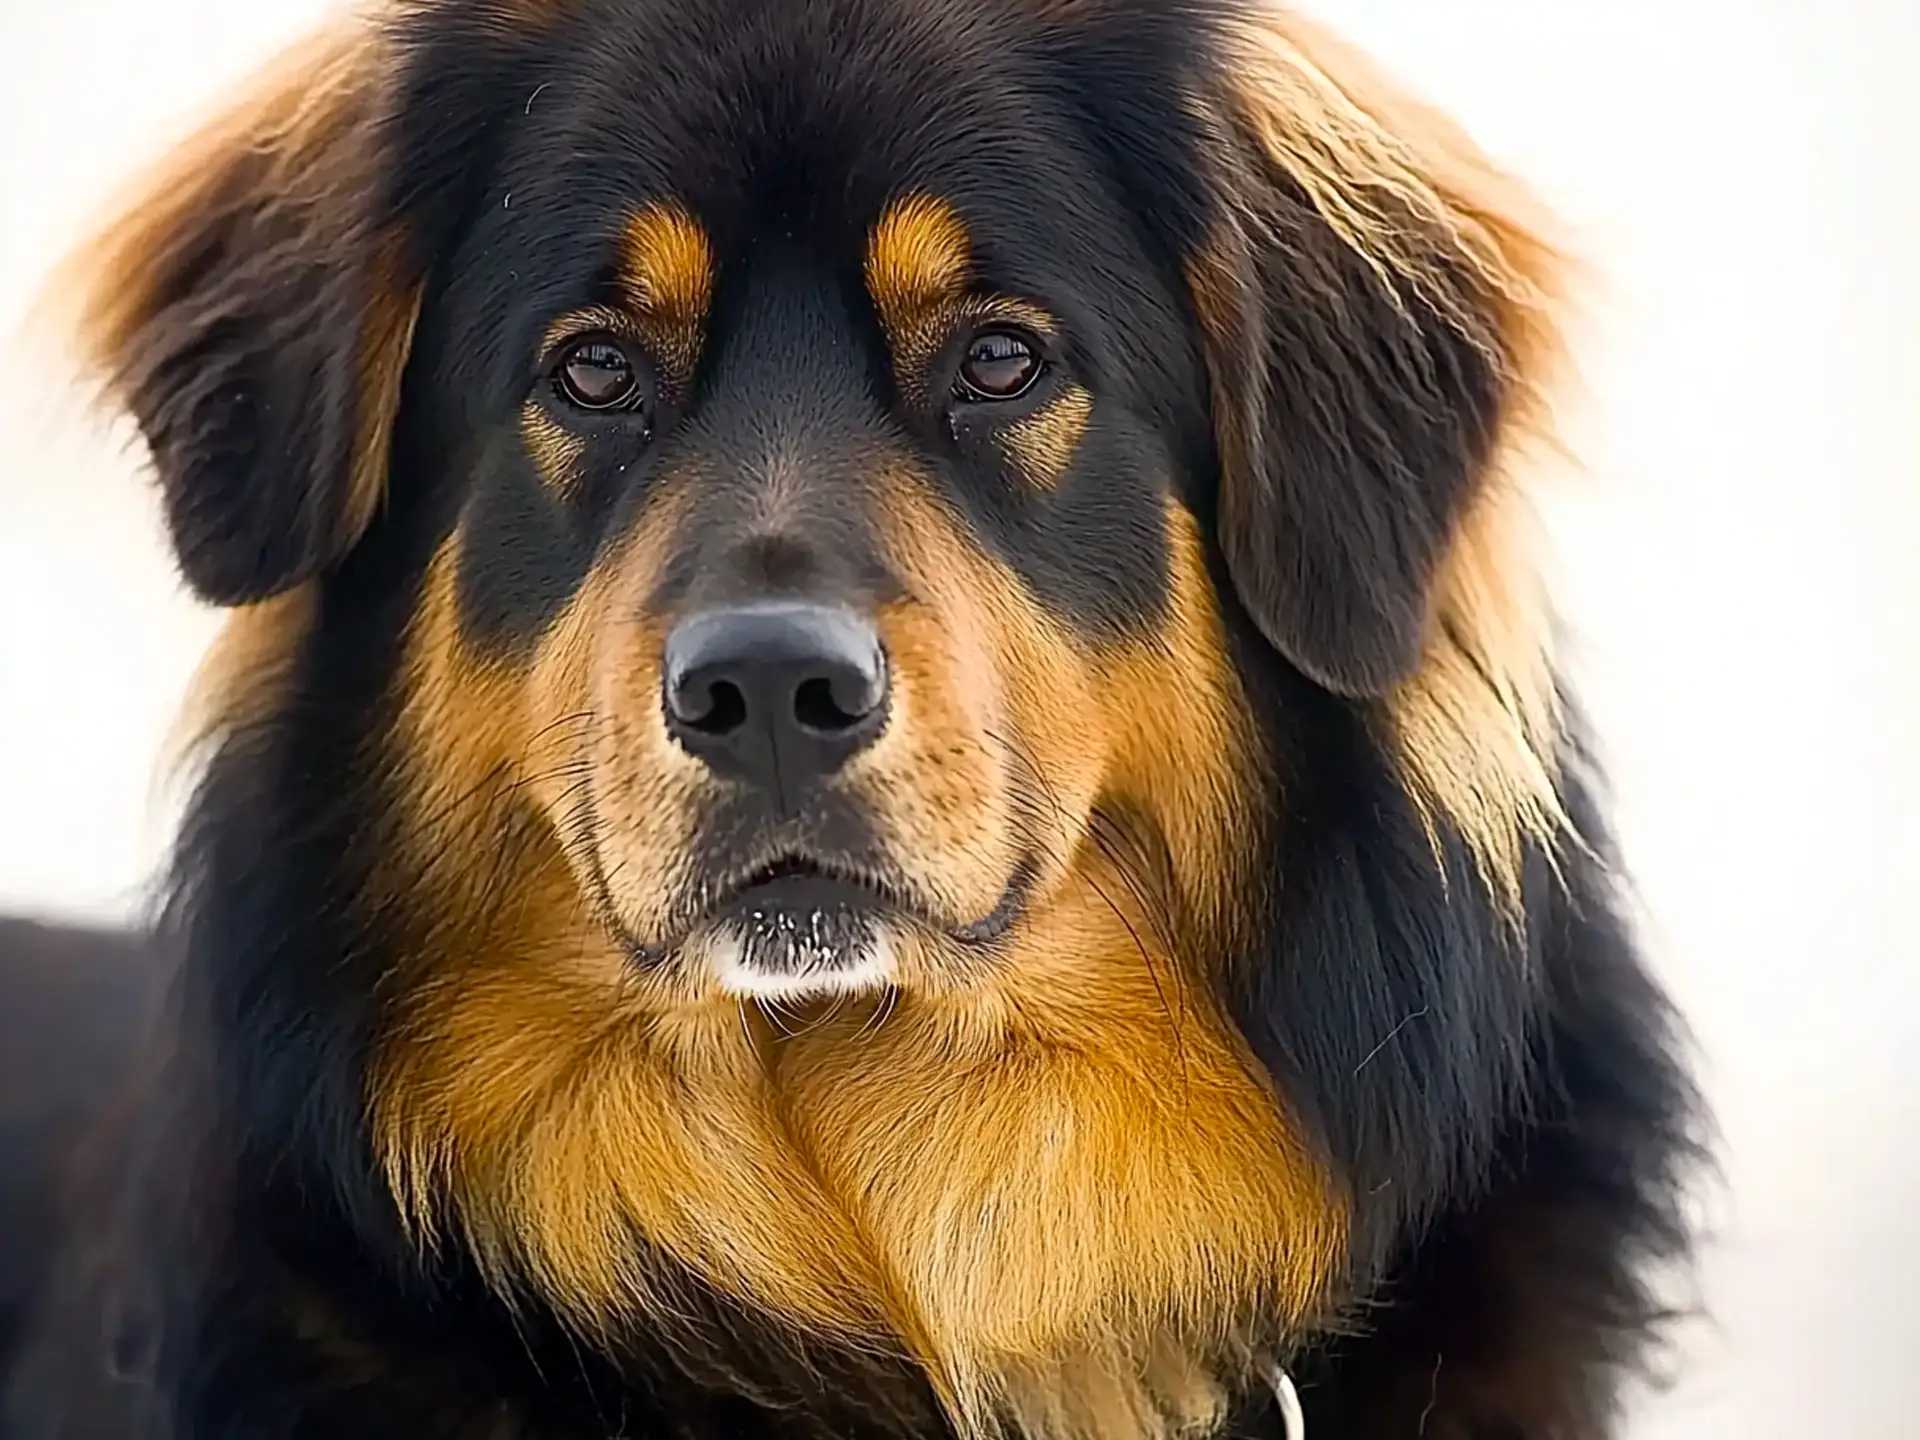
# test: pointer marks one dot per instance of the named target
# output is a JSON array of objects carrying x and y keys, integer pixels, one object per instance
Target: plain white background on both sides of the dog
[{"x": 1740, "y": 575}]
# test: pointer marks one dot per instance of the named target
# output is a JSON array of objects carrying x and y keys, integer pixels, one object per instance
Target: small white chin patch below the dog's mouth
[{"x": 802, "y": 957}]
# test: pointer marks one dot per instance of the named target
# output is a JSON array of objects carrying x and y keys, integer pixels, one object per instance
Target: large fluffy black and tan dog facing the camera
[{"x": 890, "y": 757}]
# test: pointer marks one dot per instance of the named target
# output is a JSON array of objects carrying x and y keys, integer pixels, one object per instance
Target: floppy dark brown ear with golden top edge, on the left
[{"x": 251, "y": 314}]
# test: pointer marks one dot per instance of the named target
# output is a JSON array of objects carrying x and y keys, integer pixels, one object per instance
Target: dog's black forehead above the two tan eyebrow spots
[{"x": 809, "y": 120}]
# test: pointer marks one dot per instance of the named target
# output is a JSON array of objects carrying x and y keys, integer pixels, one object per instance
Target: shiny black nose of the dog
[{"x": 777, "y": 694}]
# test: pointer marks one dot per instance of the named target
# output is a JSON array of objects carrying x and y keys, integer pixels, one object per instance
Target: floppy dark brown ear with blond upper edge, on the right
[{"x": 1378, "y": 304}]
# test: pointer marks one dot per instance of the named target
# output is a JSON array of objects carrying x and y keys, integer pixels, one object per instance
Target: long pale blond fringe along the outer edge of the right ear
[{"x": 1477, "y": 723}]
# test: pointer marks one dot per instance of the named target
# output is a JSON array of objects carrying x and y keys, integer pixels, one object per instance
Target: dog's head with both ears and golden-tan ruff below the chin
[{"x": 823, "y": 514}]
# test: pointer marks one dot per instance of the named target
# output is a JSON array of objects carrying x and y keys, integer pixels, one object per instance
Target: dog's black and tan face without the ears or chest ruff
[{"x": 827, "y": 556}]
